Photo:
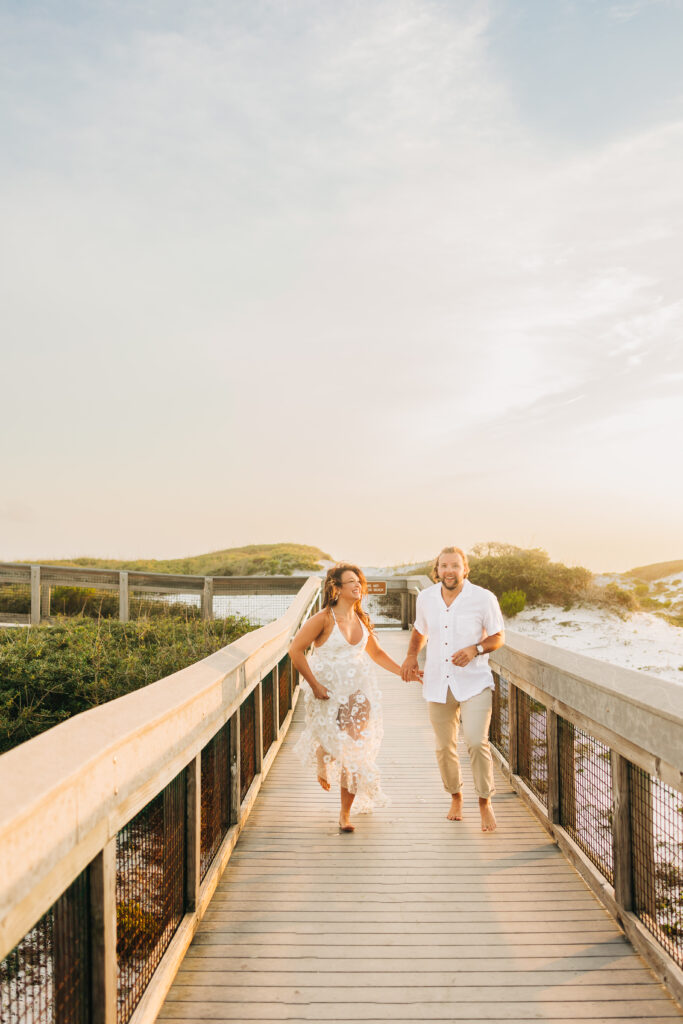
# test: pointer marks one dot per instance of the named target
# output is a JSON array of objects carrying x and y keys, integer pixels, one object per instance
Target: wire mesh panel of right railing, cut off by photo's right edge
[{"x": 657, "y": 829}]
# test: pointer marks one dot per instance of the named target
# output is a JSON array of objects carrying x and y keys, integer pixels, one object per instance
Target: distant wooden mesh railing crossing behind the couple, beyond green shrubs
[{"x": 35, "y": 594}]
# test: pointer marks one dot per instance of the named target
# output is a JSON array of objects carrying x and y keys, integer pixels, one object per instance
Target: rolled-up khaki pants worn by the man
[{"x": 476, "y": 714}]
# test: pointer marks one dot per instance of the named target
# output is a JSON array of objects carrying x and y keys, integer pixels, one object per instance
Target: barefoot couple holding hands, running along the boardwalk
[{"x": 460, "y": 623}]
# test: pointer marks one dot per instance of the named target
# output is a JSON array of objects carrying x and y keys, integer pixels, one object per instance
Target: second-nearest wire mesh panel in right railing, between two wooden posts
[{"x": 586, "y": 794}]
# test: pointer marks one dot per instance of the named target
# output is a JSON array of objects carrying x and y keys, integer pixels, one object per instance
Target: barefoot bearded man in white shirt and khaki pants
[{"x": 461, "y": 624}]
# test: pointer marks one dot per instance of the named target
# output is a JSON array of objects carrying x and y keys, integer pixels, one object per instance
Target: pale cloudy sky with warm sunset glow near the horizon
[{"x": 376, "y": 276}]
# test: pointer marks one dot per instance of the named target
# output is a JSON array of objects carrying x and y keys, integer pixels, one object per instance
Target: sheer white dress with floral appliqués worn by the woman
[{"x": 341, "y": 737}]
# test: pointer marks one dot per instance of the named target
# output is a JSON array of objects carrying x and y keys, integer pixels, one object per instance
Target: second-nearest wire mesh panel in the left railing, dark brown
[{"x": 151, "y": 858}]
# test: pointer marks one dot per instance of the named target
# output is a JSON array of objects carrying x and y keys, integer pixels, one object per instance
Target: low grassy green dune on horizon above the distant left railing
[{"x": 254, "y": 560}]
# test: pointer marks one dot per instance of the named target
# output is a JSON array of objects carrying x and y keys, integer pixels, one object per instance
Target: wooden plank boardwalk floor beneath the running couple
[{"x": 410, "y": 919}]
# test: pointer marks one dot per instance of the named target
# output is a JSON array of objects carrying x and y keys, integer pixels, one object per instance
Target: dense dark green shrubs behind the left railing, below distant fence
[{"x": 51, "y": 673}]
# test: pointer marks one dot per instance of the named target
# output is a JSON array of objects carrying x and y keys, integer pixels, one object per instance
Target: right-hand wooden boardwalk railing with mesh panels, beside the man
[{"x": 597, "y": 752}]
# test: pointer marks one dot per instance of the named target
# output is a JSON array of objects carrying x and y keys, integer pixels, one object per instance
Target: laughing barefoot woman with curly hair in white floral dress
[{"x": 344, "y": 705}]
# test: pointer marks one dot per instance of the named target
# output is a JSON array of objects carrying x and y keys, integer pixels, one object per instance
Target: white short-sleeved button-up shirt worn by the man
[{"x": 475, "y": 615}]
